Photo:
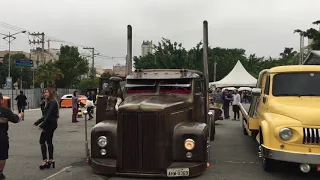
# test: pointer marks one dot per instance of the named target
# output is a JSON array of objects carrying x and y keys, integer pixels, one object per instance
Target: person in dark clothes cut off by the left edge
[{"x": 6, "y": 115}]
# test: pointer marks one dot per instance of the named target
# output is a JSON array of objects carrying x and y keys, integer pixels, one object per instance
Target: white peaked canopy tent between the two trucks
[{"x": 238, "y": 77}]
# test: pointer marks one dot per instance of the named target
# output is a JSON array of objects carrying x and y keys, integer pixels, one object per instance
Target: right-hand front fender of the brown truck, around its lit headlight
[{"x": 193, "y": 130}]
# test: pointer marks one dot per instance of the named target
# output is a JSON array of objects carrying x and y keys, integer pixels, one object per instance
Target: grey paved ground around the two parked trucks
[{"x": 233, "y": 155}]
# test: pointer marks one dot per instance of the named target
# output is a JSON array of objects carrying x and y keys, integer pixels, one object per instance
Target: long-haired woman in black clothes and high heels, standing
[{"x": 48, "y": 124}]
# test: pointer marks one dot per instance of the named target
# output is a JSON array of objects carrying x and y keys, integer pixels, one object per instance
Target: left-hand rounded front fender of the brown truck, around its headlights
[{"x": 108, "y": 129}]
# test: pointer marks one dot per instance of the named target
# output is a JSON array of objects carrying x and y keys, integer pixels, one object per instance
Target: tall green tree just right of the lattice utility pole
[{"x": 72, "y": 65}]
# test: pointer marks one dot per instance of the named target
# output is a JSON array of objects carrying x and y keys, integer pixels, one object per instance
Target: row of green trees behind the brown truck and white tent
[{"x": 168, "y": 55}]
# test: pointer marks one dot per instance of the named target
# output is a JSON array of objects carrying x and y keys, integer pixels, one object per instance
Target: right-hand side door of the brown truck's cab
[{"x": 199, "y": 100}]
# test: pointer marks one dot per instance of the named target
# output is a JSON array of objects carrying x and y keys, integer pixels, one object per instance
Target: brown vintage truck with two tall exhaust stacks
[{"x": 158, "y": 125}]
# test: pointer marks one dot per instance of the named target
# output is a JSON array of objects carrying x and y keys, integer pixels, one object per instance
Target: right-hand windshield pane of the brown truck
[{"x": 181, "y": 86}]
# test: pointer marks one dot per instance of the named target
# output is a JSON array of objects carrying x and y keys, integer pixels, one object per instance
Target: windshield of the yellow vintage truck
[{"x": 296, "y": 84}]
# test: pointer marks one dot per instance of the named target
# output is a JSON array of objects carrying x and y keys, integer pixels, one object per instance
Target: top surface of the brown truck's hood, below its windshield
[{"x": 152, "y": 102}]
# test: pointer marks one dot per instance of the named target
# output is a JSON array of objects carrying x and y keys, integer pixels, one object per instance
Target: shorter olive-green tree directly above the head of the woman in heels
[{"x": 48, "y": 74}]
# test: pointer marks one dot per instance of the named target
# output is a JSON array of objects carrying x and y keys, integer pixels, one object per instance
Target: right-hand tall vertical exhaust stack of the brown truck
[{"x": 205, "y": 66}]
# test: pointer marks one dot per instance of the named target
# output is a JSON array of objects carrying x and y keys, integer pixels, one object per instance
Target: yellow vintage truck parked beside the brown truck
[{"x": 284, "y": 116}]
